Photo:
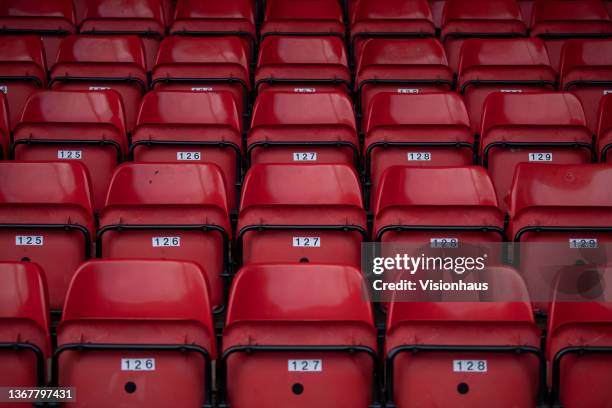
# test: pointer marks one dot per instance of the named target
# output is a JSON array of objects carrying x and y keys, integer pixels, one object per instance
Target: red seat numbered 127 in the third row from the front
[{"x": 290, "y": 127}]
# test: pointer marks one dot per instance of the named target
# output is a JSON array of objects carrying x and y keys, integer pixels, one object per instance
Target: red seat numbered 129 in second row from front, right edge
[{"x": 561, "y": 214}]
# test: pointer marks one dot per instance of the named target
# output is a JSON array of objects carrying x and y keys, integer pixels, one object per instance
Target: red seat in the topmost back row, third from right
[{"x": 395, "y": 18}]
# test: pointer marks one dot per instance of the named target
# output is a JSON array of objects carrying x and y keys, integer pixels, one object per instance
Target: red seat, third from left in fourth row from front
[{"x": 203, "y": 65}]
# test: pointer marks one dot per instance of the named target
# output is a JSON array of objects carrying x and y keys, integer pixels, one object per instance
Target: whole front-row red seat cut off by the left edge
[{"x": 24, "y": 320}]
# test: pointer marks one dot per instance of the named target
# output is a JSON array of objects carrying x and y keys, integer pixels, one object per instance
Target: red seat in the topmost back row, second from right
[{"x": 478, "y": 19}]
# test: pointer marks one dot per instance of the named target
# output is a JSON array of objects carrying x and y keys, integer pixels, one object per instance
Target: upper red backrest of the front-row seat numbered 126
[{"x": 105, "y": 293}]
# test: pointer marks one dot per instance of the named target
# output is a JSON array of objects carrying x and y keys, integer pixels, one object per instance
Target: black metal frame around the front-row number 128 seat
[{"x": 414, "y": 349}]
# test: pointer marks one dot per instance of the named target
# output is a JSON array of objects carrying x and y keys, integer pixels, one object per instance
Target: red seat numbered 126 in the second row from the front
[{"x": 141, "y": 219}]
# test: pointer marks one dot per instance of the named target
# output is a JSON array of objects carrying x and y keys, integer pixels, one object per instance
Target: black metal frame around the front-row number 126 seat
[{"x": 182, "y": 348}]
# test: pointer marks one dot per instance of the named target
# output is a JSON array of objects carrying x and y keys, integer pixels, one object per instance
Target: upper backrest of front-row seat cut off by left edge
[{"x": 24, "y": 307}]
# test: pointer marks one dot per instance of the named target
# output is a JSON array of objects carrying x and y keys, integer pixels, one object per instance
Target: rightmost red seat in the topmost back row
[{"x": 557, "y": 21}]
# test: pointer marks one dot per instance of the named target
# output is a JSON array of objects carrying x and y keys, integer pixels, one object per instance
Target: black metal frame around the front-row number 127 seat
[{"x": 351, "y": 349}]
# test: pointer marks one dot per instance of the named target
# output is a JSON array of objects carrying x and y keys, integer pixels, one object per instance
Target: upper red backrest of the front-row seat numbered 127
[{"x": 301, "y": 295}]
